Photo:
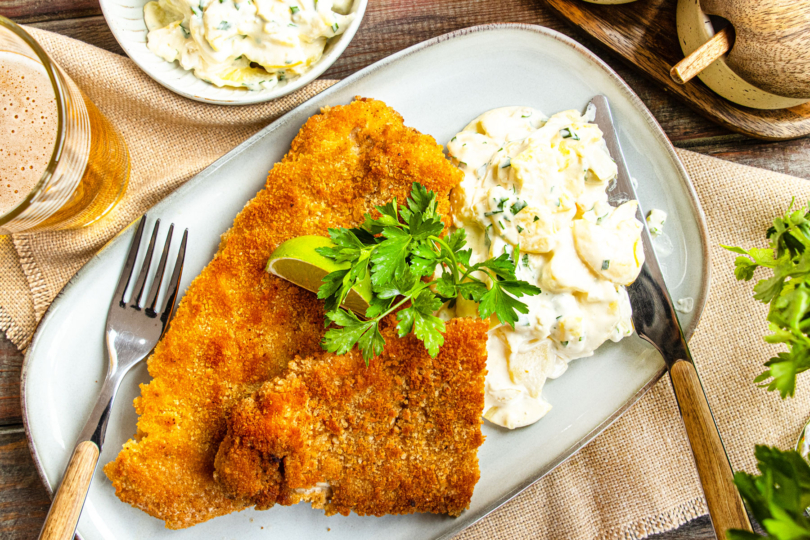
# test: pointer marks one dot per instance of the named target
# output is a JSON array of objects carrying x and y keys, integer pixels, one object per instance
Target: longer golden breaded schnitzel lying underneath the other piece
[{"x": 237, "y": 326}]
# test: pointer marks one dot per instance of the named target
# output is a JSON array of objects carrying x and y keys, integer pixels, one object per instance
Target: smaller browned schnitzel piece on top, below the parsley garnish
[{"x": 398, "y": 437}]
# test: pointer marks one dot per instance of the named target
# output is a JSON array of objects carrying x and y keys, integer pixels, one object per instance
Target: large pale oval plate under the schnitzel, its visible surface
[{"x": 437, "y": 86}]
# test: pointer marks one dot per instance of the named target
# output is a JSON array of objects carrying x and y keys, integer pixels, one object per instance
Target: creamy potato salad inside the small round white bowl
[{"x": 252, "y": 44}]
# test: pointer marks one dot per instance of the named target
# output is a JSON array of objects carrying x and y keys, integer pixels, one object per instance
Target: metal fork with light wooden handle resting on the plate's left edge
[{"x": 133, "y": 330}]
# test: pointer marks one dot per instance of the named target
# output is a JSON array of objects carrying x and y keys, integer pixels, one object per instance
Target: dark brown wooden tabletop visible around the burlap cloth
[{"x": 389, "y": 26}]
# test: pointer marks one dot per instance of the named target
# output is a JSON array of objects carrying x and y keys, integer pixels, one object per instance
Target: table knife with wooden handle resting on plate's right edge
[{"x": 655, "y": 321}]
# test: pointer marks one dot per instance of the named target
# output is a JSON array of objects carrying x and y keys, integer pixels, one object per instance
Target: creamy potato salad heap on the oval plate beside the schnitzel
[{"x": 535, "y": 187}]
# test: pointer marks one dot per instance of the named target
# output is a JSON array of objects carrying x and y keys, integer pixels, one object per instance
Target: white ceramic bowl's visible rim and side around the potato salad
[{"x": 125, "y": 18}]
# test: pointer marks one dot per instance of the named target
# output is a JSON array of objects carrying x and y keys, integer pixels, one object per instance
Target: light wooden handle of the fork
[{"x": 67, "y": 504}]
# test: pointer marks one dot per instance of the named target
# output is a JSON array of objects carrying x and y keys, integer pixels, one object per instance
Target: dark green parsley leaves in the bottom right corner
[{"x": 778, "y": 497}]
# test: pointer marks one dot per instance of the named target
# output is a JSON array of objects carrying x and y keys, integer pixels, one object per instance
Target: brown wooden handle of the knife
[{"x": 725, "y": 505}]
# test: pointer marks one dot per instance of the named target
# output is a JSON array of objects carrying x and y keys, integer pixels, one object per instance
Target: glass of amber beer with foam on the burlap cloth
[{"x": 63, "y": 165}]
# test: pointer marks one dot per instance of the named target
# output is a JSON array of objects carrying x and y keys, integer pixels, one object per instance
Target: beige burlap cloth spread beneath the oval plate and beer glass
[{"x": 635, "y": 479}]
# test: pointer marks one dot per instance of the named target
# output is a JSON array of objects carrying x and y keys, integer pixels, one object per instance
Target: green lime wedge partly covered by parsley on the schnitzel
[{"x": 297, "y": 261}]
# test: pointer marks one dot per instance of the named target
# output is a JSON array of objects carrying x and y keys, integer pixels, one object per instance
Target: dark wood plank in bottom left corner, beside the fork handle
[{"x": 23, "y": 499}]
